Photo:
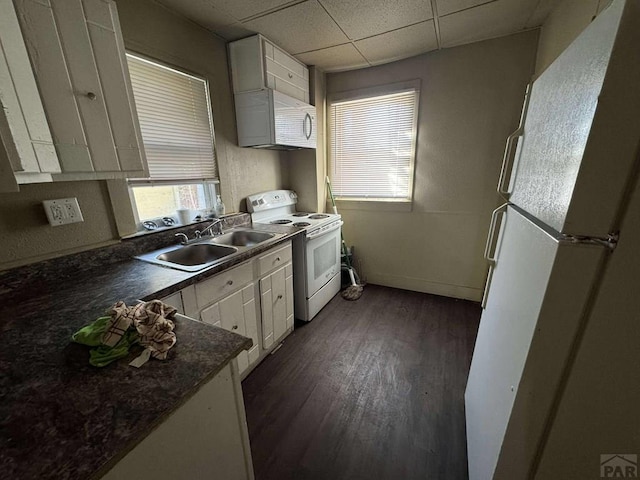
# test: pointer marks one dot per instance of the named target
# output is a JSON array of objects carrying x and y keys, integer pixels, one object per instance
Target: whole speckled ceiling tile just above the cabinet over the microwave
[{"x": 300, "y": 28}]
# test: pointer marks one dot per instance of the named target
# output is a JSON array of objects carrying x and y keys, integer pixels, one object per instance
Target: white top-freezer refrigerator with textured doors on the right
[{"x": 554, "y": 385}]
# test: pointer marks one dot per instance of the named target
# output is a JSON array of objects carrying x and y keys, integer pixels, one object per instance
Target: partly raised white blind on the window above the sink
[{"x": 173, "y": 109}]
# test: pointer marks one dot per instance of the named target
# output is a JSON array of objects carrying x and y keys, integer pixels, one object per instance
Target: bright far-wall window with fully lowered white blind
[{"x": 372, "y": 142}]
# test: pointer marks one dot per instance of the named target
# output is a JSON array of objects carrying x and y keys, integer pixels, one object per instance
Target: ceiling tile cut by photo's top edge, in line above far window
[{"x": 365, "y": 18}]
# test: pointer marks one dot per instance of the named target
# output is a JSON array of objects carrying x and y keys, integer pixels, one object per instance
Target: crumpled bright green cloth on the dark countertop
[{"x": 102, "y": 355}]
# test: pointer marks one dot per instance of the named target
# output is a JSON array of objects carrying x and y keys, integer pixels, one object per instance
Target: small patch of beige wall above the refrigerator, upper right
[{"x": 562, "y": 26}]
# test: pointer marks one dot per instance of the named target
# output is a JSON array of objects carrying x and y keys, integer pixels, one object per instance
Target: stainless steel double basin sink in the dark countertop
[{"x": 208, "y": 251}]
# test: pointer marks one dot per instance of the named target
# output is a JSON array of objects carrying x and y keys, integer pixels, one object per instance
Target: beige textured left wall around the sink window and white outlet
[{"x": 150, "y": 29}]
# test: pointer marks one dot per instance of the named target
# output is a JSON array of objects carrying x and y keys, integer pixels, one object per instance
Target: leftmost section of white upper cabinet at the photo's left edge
[{"x": 27, "y": 153}]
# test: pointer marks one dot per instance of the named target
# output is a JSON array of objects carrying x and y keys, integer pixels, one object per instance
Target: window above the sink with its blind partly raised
[{"x": 177, "y": 132}]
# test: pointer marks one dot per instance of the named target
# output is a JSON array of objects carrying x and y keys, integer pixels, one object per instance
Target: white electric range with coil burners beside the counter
[{"x": 316, "y": 254}]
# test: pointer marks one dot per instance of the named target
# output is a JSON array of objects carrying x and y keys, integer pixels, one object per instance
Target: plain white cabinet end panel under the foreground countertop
[{"x": 206, "y": 438}]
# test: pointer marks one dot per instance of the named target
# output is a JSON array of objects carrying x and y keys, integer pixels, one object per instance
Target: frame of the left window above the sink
[{"x": 210, "y": 185}]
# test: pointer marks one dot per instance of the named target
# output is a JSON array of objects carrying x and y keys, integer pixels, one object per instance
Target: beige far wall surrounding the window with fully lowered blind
[{"x": 470, "y": 100}]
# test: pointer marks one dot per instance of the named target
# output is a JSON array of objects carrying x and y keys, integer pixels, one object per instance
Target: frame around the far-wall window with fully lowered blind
[{"x": 379, "y": 203}]
